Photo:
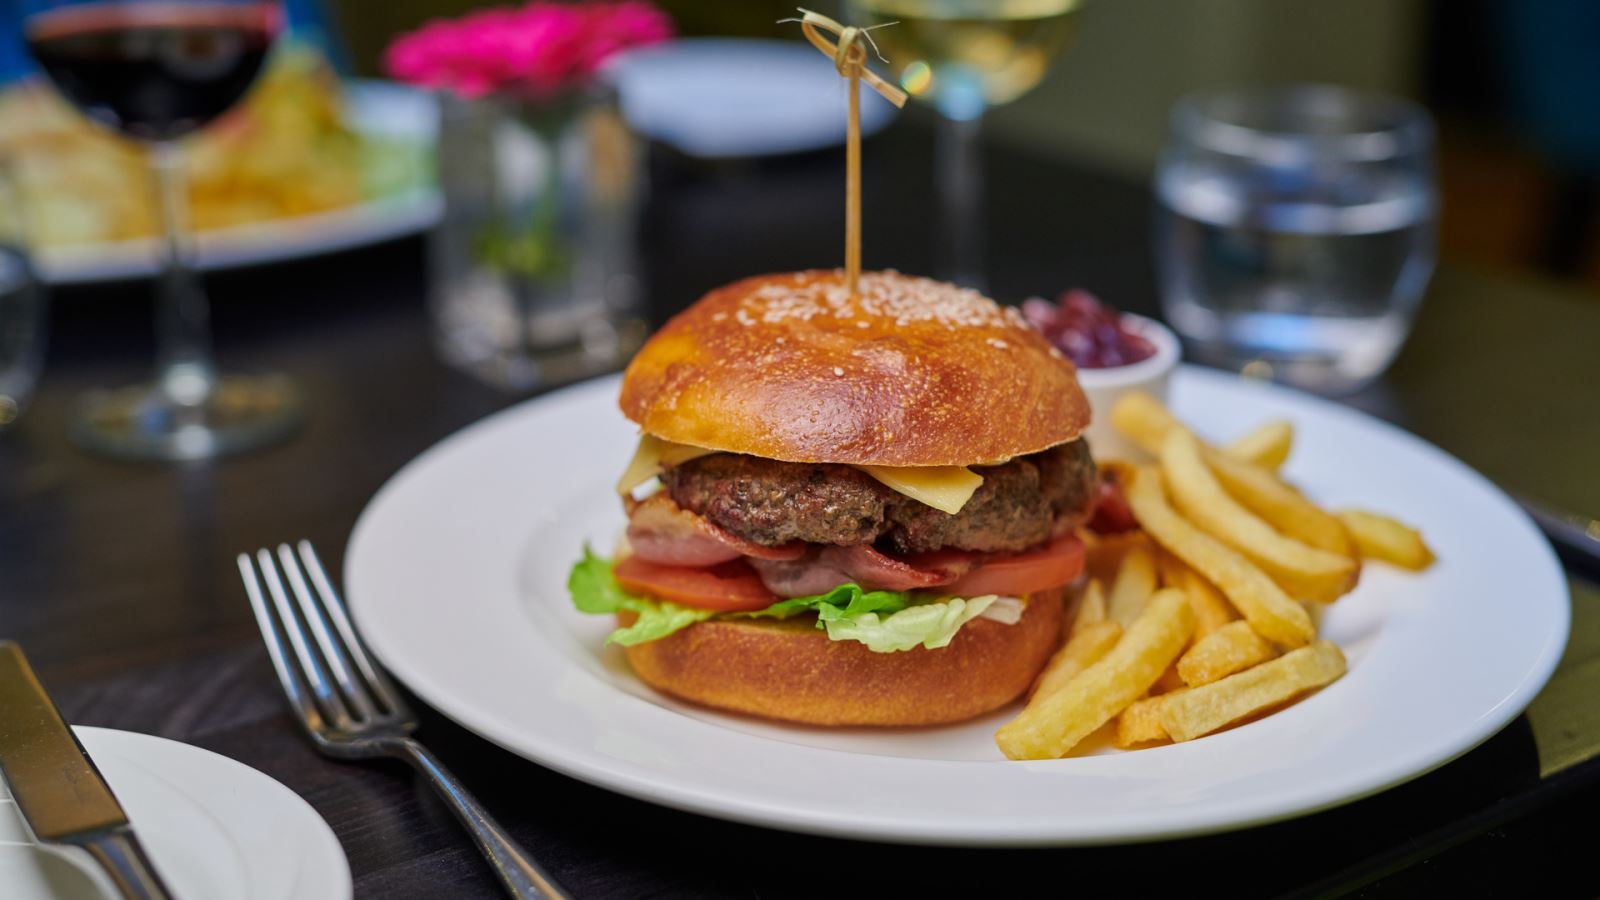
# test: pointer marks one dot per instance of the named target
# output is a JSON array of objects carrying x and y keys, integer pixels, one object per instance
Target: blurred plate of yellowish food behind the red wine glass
[{"x": 306, "y": 166}]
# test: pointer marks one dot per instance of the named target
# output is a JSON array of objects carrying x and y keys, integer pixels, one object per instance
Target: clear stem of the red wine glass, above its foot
[{"x": 183, "y": 329}]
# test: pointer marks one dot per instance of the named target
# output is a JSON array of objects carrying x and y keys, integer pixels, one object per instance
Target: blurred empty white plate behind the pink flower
[{"x": 722, "y": 98}]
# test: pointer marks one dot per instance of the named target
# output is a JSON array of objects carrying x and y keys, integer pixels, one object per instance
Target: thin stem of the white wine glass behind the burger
[{"x": 961, "y": 201}]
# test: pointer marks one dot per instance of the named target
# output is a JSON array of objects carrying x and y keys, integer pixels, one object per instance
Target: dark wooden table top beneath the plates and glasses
[{"x": 119, "y": 579}]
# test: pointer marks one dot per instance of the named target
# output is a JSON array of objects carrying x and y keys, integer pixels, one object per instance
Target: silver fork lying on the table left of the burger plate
[{"x": 350, "y": 707}]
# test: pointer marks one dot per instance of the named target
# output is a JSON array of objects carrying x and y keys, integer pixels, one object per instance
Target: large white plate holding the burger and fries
[{"x": 457, "y": 574}]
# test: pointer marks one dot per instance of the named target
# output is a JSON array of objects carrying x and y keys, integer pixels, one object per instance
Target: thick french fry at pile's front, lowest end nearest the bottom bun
[{"x": 1054, "y": 725}]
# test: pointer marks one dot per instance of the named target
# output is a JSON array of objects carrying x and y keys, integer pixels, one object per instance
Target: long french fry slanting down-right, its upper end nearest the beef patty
[{"x": 1268, "y": 609}]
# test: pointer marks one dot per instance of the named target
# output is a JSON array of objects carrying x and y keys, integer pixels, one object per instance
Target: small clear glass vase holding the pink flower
[{"x": 534, "y": 265}]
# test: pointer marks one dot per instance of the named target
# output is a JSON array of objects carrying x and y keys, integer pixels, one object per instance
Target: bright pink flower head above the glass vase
[{"x": 540, "y": 49}]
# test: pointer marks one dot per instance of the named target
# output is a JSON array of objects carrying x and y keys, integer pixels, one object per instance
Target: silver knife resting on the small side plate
[{"x": 57, "y": 787}]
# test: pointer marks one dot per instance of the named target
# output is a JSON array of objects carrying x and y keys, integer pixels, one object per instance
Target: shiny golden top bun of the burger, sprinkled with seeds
[{"x": 911, "y": 374}]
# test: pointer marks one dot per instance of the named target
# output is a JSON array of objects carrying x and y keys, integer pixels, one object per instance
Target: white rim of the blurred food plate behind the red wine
[{"x": 374, "y": 108}]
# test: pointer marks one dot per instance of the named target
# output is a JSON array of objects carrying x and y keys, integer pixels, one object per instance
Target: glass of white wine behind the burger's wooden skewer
[{"x": 966, "y": 57}]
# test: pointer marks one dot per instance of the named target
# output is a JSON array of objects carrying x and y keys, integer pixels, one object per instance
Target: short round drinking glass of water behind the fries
[{"x": 1297, "y": 230}]
